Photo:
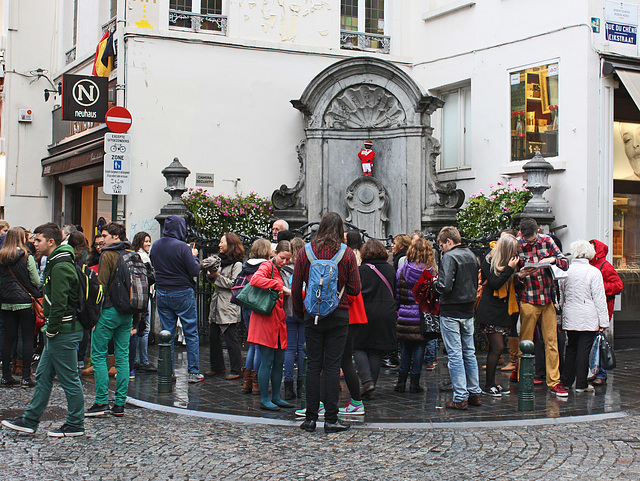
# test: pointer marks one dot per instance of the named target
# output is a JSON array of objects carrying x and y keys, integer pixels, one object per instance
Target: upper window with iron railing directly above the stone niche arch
[{"x": 362, "y": 25}]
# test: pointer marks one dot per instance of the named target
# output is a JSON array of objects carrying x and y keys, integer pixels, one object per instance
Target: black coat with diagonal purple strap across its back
[{"x": 380, "y": 305}]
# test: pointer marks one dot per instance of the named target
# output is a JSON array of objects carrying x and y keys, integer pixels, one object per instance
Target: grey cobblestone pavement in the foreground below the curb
[{"x": 146, "y": 445}]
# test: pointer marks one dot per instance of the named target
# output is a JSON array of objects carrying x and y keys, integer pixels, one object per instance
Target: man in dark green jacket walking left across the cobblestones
[{"x": 62, "y": 335}]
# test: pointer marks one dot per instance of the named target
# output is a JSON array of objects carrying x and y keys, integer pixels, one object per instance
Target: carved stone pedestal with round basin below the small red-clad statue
[{"x": 368, "y": 205}]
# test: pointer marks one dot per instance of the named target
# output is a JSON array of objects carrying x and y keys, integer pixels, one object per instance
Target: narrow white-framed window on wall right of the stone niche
[{"x": 455, "y": 151}]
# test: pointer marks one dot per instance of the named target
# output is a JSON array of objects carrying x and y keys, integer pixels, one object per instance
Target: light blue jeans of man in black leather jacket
[{"x": 457, "y": 335}]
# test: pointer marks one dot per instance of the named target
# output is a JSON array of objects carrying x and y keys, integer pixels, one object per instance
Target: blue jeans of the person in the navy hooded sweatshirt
[{"x": 182, "y": 304}]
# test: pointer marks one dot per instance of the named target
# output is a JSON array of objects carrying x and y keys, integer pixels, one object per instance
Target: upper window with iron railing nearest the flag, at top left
[{"x": 197, "y": 15}]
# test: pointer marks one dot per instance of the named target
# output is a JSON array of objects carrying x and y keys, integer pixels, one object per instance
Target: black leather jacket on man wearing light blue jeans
[{"x": 457, "y": 283}]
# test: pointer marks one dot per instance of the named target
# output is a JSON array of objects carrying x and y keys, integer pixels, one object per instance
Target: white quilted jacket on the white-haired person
[{"x": 584, "y": 305}]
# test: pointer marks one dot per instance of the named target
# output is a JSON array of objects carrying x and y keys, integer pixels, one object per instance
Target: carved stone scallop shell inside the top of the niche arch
[{"x": 364, "y": 107}]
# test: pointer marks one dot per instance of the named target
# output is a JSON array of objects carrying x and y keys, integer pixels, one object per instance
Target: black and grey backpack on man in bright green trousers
[{"x": 130, "y": 290}]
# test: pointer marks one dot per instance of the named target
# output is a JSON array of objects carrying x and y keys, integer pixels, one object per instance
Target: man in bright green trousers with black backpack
[{"x": 123, "y": 276}]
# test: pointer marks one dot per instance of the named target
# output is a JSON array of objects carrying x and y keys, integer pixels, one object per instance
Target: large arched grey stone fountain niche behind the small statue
[{"x": 360, "y": 99}]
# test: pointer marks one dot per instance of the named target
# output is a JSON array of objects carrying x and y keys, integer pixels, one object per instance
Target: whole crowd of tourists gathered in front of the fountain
[{"x": 352, "y": 303}]
